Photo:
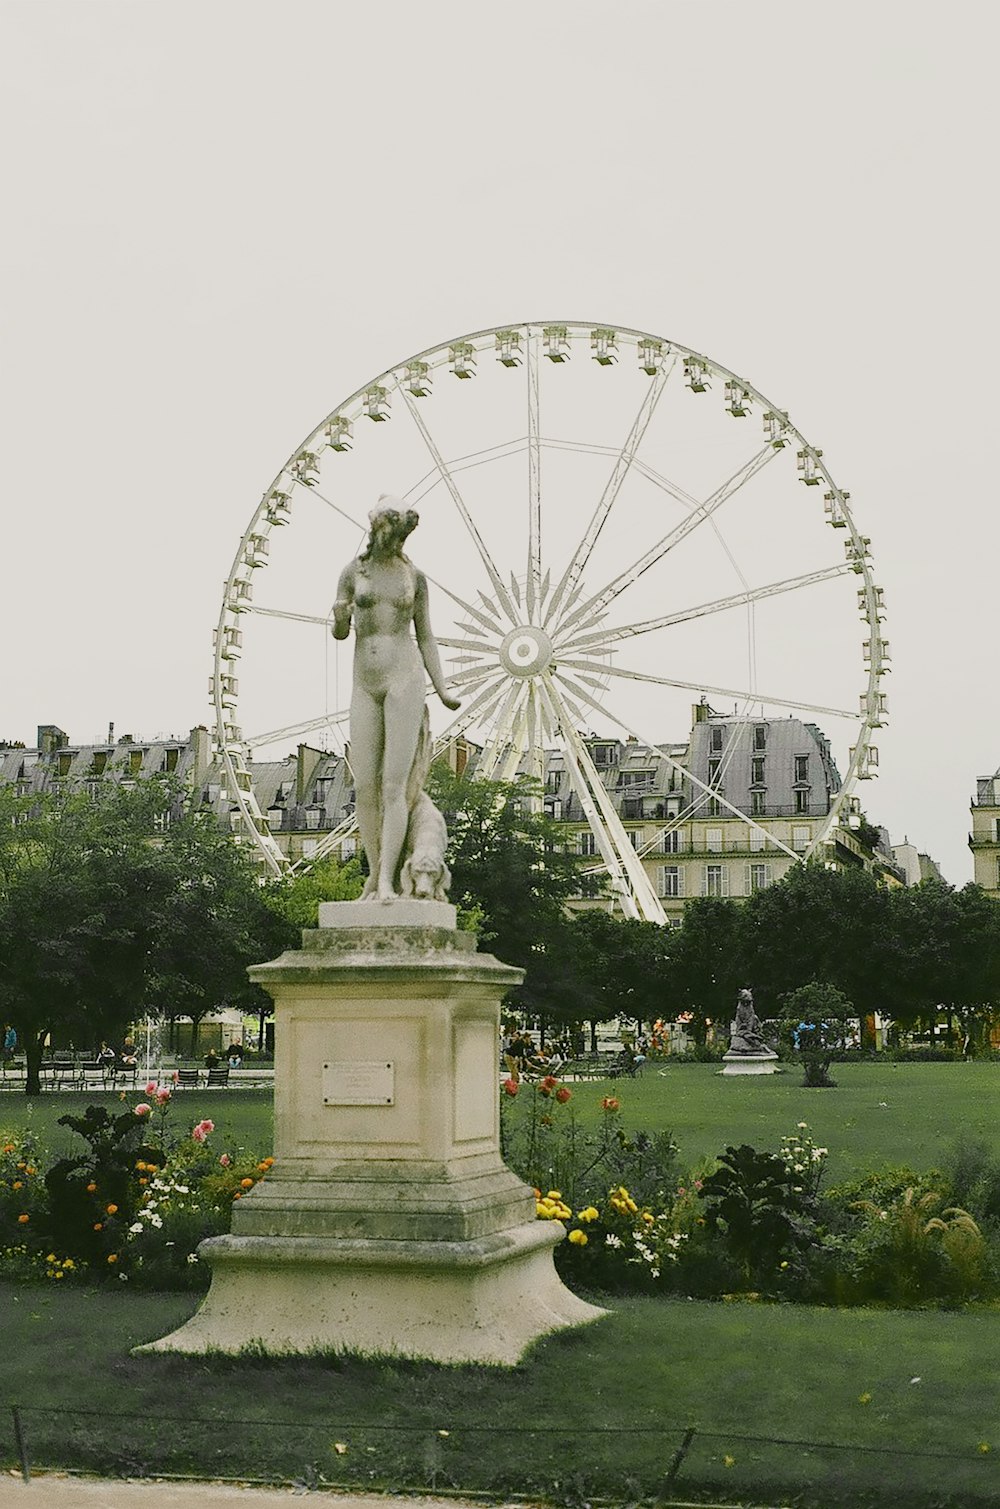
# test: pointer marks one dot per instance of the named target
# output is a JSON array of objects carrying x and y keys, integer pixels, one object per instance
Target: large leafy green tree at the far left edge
[{"x": 103, "y": 920}]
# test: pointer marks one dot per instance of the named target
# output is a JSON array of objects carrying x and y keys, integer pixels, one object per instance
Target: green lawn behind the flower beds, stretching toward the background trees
[{"x": 883, "y": 1113}]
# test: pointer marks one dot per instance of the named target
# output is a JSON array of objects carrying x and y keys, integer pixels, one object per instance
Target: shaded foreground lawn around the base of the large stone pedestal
[{"x": 598, "y": 1410}]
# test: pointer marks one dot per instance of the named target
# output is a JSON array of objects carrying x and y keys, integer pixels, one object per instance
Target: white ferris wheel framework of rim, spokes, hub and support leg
[{"x": 533, "y": 651}]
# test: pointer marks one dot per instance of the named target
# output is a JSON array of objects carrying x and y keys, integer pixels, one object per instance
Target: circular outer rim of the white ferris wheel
[{"x": 232, "y": 749}]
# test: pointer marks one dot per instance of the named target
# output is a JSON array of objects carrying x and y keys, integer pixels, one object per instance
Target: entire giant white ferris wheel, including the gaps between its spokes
[{"x": 612, "y": 524}]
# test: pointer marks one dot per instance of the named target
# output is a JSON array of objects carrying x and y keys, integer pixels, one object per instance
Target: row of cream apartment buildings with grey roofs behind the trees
[{"x": 723, "y": 814}]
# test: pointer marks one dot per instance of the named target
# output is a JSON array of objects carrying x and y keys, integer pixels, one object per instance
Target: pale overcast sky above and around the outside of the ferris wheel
[{"x": 221, "y": 220}]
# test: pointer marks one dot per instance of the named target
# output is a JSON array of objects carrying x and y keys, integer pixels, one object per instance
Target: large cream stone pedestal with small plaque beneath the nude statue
[{"x": 390, "y": 1222}]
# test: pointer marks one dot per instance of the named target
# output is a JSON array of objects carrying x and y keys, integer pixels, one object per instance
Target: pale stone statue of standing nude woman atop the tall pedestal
[{"x": 385, "y": 595}]
